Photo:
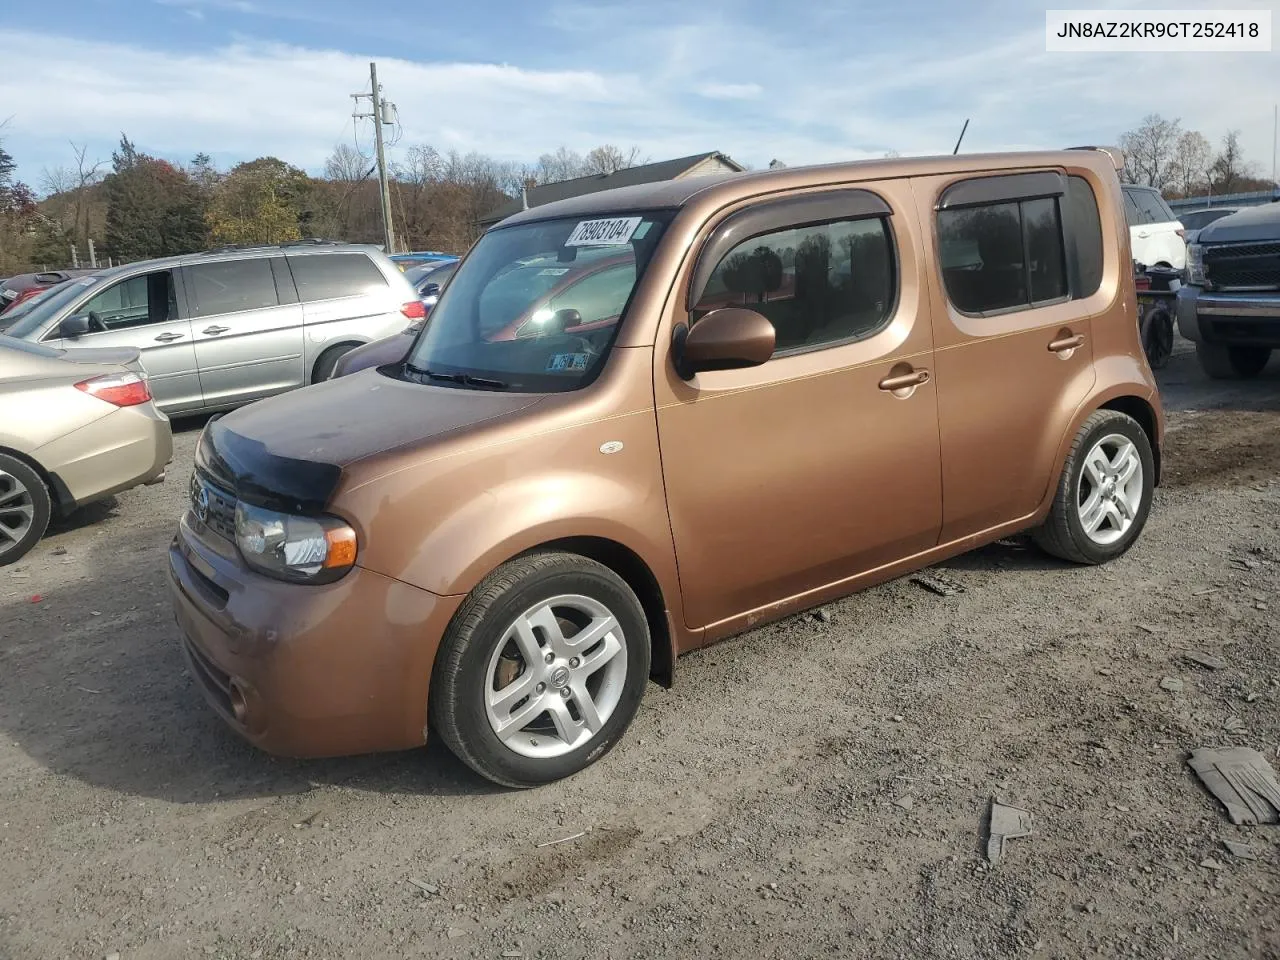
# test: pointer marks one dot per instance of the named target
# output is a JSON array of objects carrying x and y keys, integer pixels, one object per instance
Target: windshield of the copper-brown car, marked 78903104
[{"x": 537, "y": 308}]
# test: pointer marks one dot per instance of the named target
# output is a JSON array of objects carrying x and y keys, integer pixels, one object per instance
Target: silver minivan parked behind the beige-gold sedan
[{"x": 226, "y": 328}]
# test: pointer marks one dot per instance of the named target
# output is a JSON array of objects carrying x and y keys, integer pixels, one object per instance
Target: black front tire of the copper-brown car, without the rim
[{"x": 458, "y": 708}]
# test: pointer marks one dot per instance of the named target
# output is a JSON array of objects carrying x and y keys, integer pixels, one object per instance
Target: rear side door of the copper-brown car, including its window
[{"x": 1016, "y": 285}]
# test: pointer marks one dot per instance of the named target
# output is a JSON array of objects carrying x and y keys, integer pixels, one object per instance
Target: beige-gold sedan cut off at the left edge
[{"x": 76, "y": 426}]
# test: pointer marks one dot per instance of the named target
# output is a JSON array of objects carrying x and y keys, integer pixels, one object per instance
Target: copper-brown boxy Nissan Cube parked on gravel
[{"x": 501, "y": 540}]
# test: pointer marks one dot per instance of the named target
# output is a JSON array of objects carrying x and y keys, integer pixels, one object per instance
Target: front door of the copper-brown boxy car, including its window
[{"x": 824, "y": 463}]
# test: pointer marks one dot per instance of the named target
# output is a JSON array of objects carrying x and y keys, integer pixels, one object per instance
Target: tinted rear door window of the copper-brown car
[{"x": 1002, "y": 257}]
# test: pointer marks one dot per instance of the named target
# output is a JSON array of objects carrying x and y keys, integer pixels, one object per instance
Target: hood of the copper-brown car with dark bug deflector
[{"x": 289, "y": 452}]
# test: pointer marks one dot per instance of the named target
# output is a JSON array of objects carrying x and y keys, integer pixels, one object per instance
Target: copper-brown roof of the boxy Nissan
[{"x": 724, "y": 189}]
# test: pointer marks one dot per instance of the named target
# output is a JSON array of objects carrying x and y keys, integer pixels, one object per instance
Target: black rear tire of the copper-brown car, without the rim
[{"x": 1063, "y": 533}]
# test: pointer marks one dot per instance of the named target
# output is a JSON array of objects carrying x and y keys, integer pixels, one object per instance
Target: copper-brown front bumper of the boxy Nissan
[{"x": 307, "y": 671}]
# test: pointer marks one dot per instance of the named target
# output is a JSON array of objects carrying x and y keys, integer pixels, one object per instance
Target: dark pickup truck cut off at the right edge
[{"x": 1231, "y": 304}]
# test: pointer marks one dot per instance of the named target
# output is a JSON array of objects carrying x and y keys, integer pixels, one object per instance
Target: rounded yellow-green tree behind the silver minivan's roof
[{"x": 260, "y": 202}]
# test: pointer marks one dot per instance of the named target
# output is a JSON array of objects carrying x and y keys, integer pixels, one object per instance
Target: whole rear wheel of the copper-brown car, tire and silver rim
[{"x": 1104, "y": 496}]
